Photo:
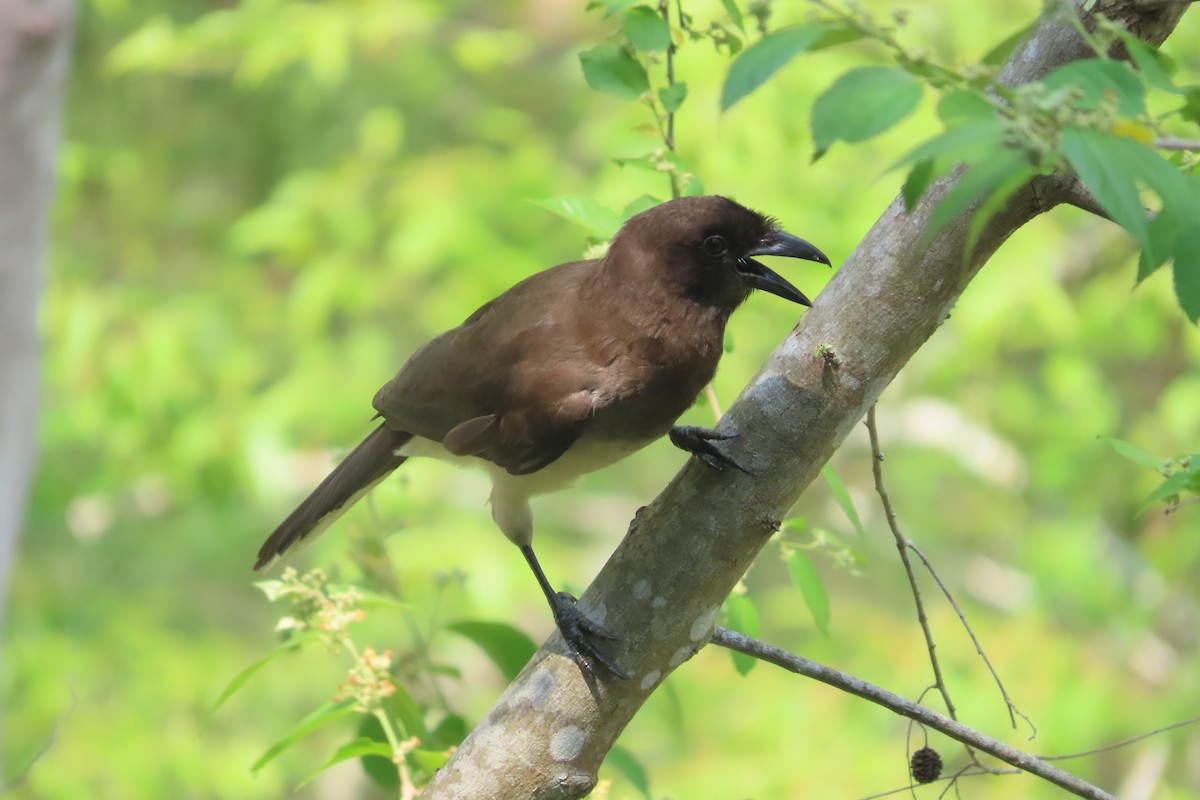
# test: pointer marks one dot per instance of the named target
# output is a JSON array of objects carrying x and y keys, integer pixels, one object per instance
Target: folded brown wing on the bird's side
[{"x": 509, "y": 384}]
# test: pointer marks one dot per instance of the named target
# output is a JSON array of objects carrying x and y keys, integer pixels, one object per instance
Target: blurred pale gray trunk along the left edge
[{"x": 35, "y": 38}]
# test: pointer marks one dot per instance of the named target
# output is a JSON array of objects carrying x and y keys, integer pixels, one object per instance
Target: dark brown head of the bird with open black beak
[{"x": 707, "y": 248}]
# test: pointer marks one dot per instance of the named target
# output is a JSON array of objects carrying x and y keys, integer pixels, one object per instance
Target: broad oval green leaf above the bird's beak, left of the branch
[{"x": 863, "y": 104}]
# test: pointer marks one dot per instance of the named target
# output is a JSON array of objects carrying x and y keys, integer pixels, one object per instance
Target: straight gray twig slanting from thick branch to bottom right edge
[{"x": 952, "y": 729}]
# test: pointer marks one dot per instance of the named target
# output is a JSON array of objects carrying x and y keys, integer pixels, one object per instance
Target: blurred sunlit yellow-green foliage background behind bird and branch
[{"x": 266, "y": 207}]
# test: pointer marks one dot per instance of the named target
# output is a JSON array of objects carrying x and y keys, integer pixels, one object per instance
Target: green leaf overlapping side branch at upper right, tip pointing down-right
[{"x": 1105, "y": 167}]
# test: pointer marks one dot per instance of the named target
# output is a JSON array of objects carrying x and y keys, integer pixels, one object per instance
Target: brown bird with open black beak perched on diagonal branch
[{"x": 568, "y": 372}]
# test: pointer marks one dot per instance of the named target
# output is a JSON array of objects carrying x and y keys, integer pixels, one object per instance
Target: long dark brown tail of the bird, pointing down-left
[{"x": 368, "y": 465}]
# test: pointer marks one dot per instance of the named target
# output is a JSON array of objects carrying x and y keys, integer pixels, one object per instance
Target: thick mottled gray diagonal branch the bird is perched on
[{"x": 662, "y": 590}]
